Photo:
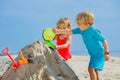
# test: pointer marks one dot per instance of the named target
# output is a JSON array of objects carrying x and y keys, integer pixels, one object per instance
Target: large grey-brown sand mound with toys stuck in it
[{"x": 44, "y": 64}]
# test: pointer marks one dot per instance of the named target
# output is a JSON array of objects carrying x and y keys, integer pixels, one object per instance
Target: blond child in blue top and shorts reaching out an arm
[{"x": 95, "y": 42}]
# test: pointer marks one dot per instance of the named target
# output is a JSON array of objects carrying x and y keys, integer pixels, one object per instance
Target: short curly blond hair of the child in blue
[{"x": 85, "y": 17}]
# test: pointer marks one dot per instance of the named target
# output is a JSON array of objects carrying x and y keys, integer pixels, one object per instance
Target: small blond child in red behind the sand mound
[{"x": 63, "y": 40}]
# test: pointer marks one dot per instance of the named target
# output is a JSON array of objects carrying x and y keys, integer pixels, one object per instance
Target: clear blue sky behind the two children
[{"x": 22, "y": 21}]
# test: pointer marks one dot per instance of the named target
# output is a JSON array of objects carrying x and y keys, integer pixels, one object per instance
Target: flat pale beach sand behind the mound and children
[{"x": 79, "y": 64}]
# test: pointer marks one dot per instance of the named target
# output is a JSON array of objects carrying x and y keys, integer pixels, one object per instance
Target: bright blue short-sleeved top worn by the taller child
[{"x": 92, "y": 39}]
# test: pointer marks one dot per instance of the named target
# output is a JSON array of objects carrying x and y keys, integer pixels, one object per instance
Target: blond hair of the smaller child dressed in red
[{"x": 64, "y": 22}]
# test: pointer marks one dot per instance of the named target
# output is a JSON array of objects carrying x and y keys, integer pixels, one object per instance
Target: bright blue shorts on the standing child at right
[{"x": 97, "y": 61}]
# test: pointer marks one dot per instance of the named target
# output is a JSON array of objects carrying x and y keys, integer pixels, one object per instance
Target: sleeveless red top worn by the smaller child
[{"x": 64, "y": 52}]
